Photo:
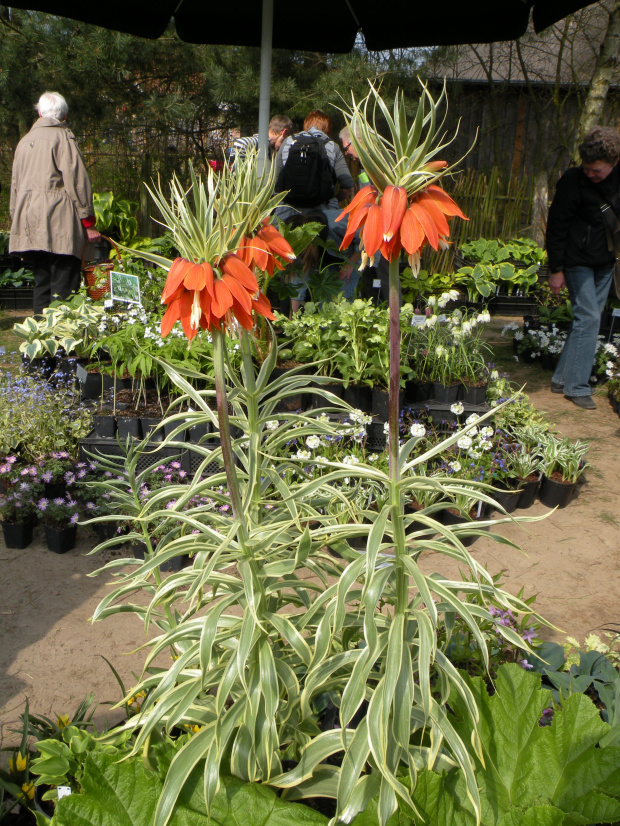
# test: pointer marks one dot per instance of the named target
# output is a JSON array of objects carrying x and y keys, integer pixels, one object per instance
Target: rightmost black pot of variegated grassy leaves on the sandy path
[{"x": 562, "y": 464}]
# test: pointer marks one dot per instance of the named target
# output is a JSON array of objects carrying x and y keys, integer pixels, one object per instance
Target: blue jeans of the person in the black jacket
[{"x": 588, "y": 289}]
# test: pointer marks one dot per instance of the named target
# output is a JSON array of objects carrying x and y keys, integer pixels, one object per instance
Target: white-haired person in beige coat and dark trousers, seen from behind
[{"x": 51, "y": 203}]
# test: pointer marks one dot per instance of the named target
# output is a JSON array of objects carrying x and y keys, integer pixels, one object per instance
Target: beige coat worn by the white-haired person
[{"x": 50, "y": 191}]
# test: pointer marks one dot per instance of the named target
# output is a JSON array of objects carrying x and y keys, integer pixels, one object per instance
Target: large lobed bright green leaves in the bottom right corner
[{"x": 531, "y": 774}]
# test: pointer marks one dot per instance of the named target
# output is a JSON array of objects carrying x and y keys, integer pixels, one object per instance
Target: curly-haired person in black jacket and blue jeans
[{"x": 581, "y": 256}]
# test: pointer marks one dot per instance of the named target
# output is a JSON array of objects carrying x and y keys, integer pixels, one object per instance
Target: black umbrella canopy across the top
[{"x": 322, "y": 25}]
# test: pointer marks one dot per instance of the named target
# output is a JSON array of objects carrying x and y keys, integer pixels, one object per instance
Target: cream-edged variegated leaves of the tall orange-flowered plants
[{"x": 257, "y": 653}]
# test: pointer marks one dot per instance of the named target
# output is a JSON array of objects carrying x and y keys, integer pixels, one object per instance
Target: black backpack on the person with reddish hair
[{"x": 307, "y": 173}]
